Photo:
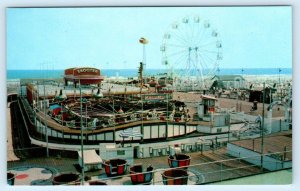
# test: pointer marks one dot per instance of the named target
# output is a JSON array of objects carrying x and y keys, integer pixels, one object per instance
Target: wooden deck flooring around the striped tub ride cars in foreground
[{"x": 203, "y": 168}]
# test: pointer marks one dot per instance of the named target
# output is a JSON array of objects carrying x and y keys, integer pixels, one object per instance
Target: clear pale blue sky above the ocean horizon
[{"x": 108, "y": 38}]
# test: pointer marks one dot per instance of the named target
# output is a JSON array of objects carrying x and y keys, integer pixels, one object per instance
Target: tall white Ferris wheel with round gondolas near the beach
[{"x": 191, "y": 49}]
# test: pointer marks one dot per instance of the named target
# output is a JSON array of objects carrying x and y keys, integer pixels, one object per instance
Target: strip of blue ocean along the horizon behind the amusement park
[{"x": 23, "y": 74}]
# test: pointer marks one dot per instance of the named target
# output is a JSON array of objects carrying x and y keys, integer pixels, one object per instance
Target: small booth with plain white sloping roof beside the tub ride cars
[{"x": 91, "y": 160}]
